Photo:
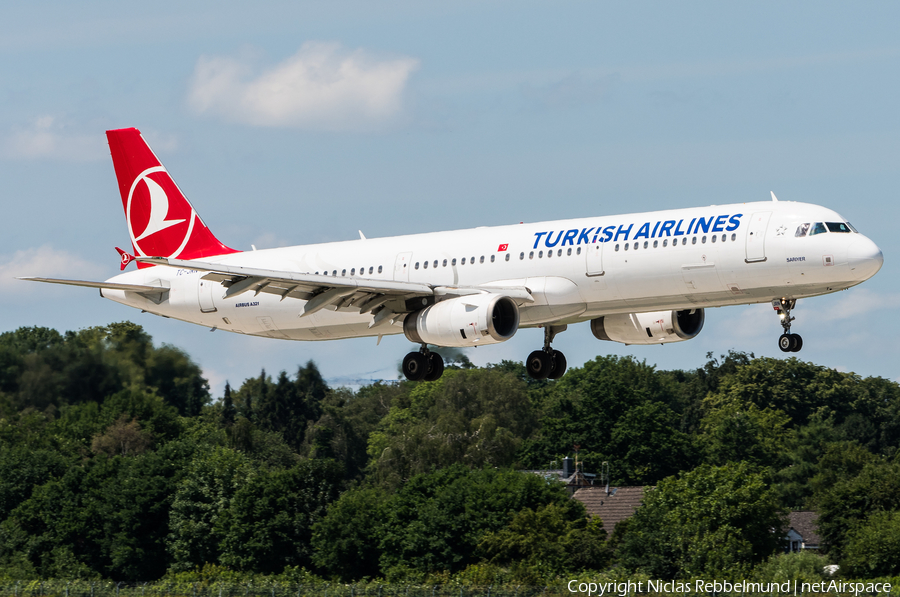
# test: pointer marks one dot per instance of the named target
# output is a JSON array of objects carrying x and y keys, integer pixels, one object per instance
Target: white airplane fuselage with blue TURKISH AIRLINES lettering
[{"x": 576, "y": 270}]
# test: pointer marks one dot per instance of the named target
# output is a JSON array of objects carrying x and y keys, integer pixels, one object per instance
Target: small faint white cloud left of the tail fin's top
[{"x": 46, "y": 138}]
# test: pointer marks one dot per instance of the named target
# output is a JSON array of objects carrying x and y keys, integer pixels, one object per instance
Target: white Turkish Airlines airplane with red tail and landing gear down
[{"x": 643, "y": 278}]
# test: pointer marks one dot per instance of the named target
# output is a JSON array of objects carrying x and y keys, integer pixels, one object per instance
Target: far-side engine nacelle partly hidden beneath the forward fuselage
[{"x": 649, "y": 328}]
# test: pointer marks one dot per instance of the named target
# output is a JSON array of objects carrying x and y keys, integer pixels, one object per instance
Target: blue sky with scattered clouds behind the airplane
[{"x": 446, "y": 116}]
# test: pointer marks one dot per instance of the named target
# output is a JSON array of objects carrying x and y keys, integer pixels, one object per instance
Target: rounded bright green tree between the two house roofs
[{"x": 706, "y": 522}]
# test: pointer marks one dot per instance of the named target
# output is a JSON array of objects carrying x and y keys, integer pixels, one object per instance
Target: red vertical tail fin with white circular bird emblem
[{"x": 161, "y": 221}]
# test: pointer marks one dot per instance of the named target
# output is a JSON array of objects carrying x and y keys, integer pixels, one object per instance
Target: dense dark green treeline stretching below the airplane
[{"x": 116, "y": 463}]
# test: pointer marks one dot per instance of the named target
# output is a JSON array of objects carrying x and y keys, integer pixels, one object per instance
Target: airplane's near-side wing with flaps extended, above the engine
[{"x": 382, "y": 297}]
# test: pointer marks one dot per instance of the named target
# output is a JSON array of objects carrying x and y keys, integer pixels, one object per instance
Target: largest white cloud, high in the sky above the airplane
[{"x": 323, "y": 86}]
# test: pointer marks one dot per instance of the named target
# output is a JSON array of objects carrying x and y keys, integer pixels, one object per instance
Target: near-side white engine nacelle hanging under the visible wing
[{"x": 469, "y": 320}]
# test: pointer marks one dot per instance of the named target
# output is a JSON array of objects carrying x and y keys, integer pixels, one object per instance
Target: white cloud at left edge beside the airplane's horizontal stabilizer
[{"x": 45, "y": 262}]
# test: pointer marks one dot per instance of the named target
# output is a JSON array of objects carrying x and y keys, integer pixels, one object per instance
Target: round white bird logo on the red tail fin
[{"x": 152, "y": 206}]
